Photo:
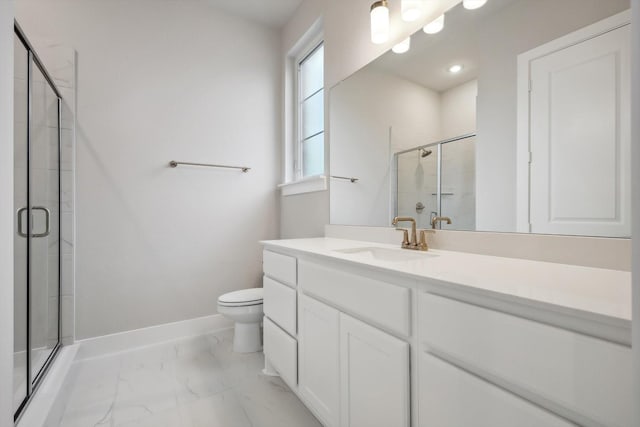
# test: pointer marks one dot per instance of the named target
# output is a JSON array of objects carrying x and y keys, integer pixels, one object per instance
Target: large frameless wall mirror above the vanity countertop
[{"x": 514, "y": 118}]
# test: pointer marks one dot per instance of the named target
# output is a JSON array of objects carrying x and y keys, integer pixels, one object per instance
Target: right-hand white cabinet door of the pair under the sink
[{"x": 374, "y": 380}]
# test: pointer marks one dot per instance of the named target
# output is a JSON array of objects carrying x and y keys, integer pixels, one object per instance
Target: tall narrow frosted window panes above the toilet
[{"x": 310, "y": 114}]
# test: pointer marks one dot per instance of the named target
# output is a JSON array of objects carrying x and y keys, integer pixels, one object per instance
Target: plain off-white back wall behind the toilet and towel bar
[{"x": 159, "y": 81}]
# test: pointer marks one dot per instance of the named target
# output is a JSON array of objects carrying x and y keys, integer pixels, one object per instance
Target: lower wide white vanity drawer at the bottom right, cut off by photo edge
[{"x": 451, "y": 397}]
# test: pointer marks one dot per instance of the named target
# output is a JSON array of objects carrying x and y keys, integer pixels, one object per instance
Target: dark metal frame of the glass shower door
[{"x": 33, "y": 382}]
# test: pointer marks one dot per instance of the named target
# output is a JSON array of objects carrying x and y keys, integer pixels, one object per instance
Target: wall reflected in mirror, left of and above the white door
[{"x": 497, "y": 98}]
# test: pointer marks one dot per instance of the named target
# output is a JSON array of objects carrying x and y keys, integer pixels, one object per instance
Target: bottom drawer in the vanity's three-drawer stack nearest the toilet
[{"x": 282, "y": 352}]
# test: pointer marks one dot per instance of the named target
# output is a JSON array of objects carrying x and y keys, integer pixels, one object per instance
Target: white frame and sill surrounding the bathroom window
[{"x": 294, "y": 182}]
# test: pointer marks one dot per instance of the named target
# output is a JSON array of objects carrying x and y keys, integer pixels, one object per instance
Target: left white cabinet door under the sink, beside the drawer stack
[{"x": 318, "y": 359}]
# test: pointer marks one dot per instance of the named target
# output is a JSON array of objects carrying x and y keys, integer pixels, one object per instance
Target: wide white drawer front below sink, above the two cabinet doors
[{"x": 379, "y": 303}]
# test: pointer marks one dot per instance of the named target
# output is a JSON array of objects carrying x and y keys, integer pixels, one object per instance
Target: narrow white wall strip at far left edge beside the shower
[{"x": 6, "y": 213}]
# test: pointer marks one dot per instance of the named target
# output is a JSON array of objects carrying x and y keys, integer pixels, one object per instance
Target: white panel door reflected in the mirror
[{"x": 580, "y": 138}]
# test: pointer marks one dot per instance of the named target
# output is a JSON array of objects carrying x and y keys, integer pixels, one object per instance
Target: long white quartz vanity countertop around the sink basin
[{"x": 592, "y": 290}]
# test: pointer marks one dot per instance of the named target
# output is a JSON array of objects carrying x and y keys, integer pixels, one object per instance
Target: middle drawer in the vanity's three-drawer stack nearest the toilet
[{"x": 280, "y": 304}]
